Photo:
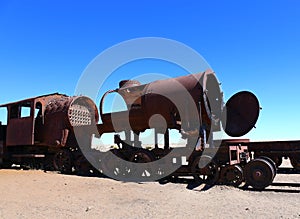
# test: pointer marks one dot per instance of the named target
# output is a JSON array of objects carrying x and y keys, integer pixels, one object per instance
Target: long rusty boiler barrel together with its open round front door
[{"x": 170, "y": 99}]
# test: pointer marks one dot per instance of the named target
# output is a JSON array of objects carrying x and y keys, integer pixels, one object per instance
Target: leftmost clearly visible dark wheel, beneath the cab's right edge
[{"x": 62, "y": 161}]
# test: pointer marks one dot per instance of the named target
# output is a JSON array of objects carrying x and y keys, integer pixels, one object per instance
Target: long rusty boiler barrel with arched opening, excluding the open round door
[{"x": 165, "y": 98}]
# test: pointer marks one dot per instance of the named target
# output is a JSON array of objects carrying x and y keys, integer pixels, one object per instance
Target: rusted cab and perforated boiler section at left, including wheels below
[{"x": 40, "y": 131}]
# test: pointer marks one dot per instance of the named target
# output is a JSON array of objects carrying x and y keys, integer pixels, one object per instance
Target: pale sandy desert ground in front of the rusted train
[{"x": 36, "y": 194}]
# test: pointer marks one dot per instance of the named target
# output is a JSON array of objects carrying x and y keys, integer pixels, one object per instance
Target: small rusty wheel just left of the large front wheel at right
[{"x": 232, "y": 175}]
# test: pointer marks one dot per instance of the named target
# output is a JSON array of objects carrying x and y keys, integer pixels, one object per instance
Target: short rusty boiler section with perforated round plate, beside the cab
[{"x": 63, "y": 116}]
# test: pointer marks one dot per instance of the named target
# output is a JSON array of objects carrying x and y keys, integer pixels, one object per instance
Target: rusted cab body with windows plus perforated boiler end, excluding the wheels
[{"x": 49, "y": 121}]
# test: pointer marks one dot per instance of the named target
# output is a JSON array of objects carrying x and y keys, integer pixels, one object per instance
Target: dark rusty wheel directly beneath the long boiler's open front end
[{"x": 205, "y": 170}]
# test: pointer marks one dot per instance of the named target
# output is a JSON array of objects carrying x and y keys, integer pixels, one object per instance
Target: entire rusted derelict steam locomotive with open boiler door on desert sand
[{"x": 54, "y": 132}]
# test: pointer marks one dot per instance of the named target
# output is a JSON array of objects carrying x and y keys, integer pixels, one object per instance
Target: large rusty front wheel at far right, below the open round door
[{"x": 259, "y": 173}]
